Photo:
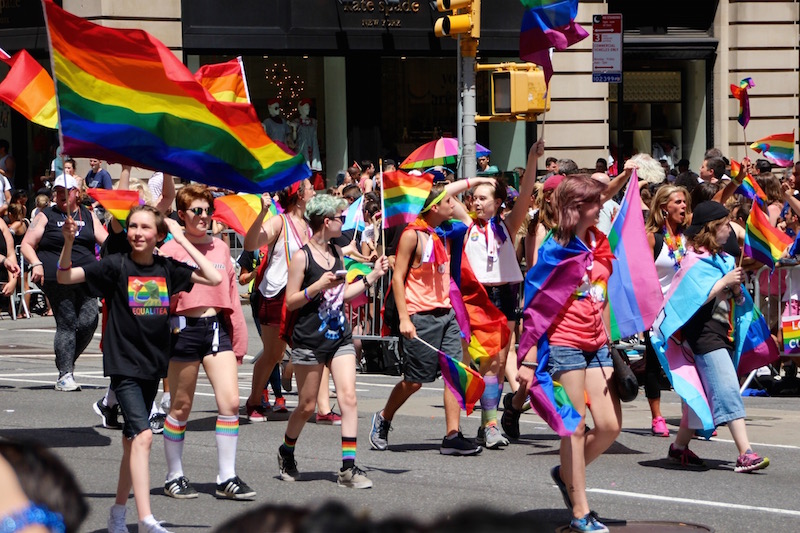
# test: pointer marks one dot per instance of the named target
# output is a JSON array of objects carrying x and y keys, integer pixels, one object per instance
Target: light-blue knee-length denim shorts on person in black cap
[{"x": 721, "y": 385}]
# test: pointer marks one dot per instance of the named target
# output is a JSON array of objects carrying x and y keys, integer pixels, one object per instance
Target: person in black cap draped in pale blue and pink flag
[{"x": 703, "y": 318}]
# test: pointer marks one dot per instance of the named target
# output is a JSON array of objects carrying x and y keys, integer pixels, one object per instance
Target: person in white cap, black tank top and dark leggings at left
[{"x": 74, "y": 308}]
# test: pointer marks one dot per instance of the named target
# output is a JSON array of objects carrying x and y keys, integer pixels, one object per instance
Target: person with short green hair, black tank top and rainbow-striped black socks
[{"x": 316, "y": 290}]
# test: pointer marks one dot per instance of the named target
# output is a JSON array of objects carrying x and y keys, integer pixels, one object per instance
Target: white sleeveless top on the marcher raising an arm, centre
[{"x": 494, "y": 262}]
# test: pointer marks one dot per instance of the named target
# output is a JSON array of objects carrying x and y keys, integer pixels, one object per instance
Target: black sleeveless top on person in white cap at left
[{"x": 52, "y": 240}]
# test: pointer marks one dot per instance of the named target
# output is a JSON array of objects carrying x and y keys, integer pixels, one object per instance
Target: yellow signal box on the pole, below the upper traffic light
[{"x": 519, "y": 92}]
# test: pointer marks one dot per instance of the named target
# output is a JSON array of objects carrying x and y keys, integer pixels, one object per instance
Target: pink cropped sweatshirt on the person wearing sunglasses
[{"x": 224, "y": 296}]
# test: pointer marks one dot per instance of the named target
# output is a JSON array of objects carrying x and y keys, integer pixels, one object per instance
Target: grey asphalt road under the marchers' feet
[{"x": 631, "y": 482}]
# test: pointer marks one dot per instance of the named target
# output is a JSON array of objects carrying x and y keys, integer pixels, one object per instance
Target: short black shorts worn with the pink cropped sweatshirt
[{"x": 198, "y": 337}]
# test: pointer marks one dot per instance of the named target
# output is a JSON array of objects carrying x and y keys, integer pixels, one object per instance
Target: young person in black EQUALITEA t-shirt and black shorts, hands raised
[{"x": 137, "y": 287}]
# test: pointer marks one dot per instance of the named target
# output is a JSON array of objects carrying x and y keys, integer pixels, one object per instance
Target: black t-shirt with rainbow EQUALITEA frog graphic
[{"x": 136, "y": 341}]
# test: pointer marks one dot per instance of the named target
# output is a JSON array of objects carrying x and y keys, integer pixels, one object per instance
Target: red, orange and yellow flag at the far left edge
[{"x": 29, "y": 89}]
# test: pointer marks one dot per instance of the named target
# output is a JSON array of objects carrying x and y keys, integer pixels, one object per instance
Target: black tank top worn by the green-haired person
[{"x": 321, "y": 323}]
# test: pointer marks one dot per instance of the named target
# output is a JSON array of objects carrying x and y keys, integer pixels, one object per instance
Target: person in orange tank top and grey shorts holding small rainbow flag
[{"x": 421, "y": 287}]
